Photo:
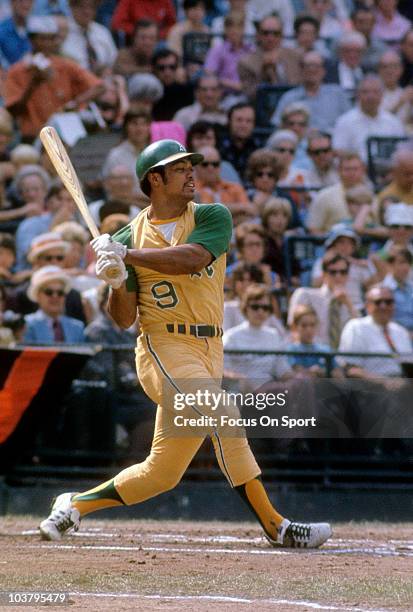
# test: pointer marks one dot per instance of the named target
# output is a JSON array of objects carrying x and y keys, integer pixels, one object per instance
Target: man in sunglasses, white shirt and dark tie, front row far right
[{"x": 375, "y": 333}]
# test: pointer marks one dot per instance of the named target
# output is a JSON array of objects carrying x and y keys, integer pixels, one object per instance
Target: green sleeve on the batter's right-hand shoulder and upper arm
[{"x": 213, "y": 228}]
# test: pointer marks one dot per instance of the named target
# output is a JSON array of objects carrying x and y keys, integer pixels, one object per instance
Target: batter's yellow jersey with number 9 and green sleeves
[{"x": 184, "y": 298}]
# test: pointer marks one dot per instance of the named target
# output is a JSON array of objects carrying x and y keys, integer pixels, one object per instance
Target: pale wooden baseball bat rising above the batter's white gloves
[{"x": 64, "y": 168}]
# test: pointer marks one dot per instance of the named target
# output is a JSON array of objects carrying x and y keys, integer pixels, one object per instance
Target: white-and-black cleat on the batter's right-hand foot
[{"x": 301, "y": 535}]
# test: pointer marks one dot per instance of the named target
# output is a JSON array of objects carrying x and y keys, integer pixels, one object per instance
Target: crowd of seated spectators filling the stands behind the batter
[{"x": 321, "y": 257}]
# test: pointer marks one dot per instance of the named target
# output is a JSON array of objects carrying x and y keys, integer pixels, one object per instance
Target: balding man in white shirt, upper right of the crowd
[{"x": 366, "y": 119}]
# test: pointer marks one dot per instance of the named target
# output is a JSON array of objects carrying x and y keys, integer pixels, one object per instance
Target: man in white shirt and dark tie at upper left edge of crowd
[{"x": 89, "y": 43}]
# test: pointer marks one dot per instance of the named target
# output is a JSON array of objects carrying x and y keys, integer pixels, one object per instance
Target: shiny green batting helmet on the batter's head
[{"x": 161, "y": 153}]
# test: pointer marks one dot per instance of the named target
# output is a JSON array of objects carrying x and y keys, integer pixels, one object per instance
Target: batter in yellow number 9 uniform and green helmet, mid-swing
[{"x": 169, "y": 264}]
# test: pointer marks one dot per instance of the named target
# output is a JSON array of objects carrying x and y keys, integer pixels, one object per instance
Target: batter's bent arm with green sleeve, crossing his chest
[{"x": 209, "y": 239}]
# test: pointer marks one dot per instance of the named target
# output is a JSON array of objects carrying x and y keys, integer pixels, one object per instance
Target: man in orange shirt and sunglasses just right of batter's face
[{"x": 210, "y": 187}]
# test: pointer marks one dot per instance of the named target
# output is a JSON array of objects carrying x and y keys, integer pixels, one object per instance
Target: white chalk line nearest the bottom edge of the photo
[{"x": 228, "y": 599}]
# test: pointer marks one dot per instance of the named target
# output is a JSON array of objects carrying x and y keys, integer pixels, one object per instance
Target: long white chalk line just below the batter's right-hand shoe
[{"x": 230, "y": 551}]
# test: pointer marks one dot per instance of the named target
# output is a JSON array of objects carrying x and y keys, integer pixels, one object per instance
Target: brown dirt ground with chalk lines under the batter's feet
[{"x": 148, "y": 565}]
